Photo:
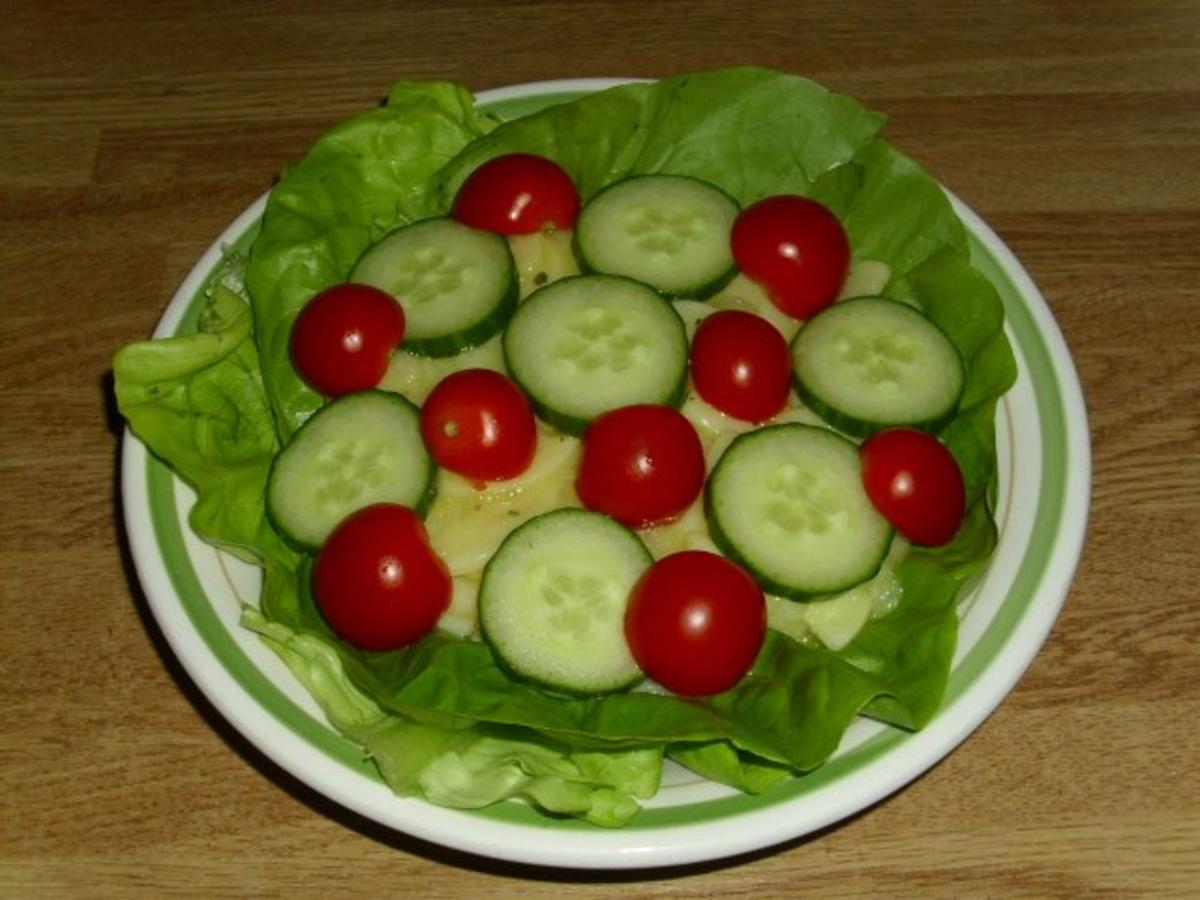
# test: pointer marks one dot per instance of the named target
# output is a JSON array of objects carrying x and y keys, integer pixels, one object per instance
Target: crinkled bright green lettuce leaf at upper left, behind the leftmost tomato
[{"x": 361, "y": 181}]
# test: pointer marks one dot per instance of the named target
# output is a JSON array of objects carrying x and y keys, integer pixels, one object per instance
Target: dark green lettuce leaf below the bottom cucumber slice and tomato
[{"x": 793, "y": 709}]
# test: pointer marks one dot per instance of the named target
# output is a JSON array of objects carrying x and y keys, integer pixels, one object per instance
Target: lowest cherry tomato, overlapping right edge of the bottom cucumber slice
[{"x": 695, "y": 623}]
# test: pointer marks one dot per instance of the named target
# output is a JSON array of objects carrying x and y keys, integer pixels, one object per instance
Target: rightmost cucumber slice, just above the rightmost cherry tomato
[{"x": 869, "y": 364}]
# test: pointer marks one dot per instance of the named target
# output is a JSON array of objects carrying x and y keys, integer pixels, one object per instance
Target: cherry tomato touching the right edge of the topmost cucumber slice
[{"x": 796, "y": 250}]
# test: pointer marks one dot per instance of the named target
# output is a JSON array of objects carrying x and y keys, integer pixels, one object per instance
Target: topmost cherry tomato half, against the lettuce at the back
[{"x": 518, "y": 194}]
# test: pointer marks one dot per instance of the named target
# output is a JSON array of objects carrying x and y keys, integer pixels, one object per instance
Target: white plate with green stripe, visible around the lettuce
[{"x": 195, "y": 593}]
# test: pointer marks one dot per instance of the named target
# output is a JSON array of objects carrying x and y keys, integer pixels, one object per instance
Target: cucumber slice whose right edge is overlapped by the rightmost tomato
[{"x": 788, "y": 502}]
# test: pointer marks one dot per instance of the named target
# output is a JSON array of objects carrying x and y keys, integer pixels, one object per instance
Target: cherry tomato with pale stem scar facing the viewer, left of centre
[{"x": 479, "y": 424}]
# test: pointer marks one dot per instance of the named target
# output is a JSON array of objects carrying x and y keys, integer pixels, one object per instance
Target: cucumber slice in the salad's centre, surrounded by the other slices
[{"x": 591, "y": 344}]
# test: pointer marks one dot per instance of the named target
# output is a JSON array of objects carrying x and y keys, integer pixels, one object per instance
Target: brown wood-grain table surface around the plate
[{"x": 133, "y": 134}]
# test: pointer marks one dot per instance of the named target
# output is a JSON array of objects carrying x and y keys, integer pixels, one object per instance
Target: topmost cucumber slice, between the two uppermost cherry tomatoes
[{"x": 668, "y": 231}]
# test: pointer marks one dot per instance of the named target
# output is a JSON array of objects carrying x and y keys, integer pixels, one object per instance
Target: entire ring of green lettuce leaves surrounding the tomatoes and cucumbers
[{"x": 441, "y": 718}]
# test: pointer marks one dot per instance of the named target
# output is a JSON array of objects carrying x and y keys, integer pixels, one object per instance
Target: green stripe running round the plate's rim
[{"x": 1048, "y": 523}]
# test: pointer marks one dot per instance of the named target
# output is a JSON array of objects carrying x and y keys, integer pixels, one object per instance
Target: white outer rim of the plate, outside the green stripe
[{"x": 673, "y": 845}]
